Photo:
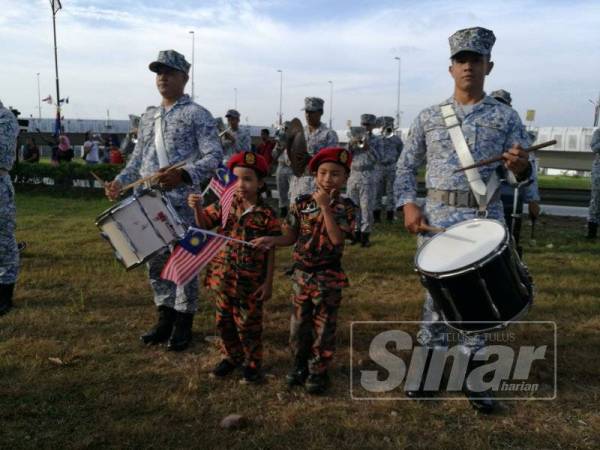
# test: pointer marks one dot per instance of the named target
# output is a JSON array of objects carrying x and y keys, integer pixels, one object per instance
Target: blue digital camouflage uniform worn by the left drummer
[{"x": 190, "y": 134}]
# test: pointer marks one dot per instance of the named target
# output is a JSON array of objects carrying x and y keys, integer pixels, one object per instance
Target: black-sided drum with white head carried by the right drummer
[{"x": 475, "y": 276}]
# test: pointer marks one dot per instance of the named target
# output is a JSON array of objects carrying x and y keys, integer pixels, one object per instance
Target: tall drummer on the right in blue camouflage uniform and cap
[{"x": 490, "y": 129}]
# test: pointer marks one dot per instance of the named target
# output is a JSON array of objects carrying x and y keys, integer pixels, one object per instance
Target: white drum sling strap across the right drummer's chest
[{"x": 482, "y": 193}]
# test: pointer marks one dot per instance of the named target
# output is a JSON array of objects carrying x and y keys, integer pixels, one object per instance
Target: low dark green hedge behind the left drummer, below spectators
[{"x": 63, "y": 174}]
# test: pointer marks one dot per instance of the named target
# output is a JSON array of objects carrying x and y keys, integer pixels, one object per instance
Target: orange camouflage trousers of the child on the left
[{"x": 239, "y": 322}]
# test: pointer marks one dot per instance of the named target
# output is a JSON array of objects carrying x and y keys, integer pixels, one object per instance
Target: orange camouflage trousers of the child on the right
[{"x": 316, "y": 300}]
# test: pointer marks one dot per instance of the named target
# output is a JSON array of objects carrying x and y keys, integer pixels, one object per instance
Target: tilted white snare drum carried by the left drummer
[{"x": 140, "y": 226}]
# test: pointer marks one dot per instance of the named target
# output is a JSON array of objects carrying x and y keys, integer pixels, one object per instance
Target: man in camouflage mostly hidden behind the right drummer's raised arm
[{"x": 527, "y": 193}]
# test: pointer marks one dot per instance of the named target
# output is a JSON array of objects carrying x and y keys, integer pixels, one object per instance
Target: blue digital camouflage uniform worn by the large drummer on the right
[{"x": 489, "y": 128}]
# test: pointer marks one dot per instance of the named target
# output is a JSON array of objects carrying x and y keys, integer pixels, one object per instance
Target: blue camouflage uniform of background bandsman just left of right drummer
[{"x": 385, "y": 171}]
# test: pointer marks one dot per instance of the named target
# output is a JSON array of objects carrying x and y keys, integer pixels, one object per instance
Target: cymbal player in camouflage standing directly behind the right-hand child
[{"x": 317, "y": 136}]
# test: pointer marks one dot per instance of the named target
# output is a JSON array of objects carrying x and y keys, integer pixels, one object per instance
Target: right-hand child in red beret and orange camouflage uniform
[{"x": 318, "y": 224}]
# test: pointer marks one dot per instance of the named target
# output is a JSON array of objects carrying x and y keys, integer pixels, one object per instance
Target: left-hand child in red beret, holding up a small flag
[{"x": 241, "y": 275}]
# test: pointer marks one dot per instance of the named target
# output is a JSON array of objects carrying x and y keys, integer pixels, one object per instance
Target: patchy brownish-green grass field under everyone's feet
[{"x": 73, "y": 374}]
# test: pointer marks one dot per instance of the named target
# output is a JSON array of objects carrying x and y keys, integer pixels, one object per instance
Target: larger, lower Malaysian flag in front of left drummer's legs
[{"x": 192, "y": 253}]
